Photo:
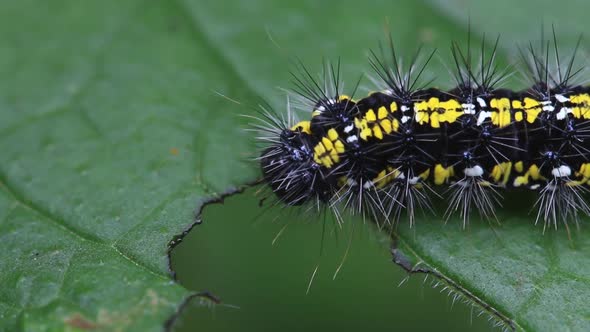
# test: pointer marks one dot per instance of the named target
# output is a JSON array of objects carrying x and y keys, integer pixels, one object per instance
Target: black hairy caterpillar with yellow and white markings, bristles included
[{"x": 397, "y": 148}]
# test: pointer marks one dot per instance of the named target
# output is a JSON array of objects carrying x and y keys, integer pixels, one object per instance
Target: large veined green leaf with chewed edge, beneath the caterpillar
[{"x": 112, "y": 135}]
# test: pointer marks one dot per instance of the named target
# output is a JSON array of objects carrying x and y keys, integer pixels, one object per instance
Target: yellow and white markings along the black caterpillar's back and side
[{"x": 381, "y": 119}]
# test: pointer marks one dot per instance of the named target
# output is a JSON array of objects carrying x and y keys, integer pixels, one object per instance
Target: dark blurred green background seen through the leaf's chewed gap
[{"x": 263, "y": 286}]
